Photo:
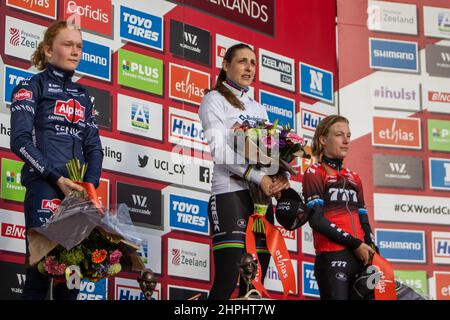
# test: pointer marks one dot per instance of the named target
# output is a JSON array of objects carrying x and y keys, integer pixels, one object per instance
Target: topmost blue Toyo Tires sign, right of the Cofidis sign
[{"x": 142, "y": 28}]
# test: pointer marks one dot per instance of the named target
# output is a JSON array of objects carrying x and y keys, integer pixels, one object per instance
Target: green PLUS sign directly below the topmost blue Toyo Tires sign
[{"x": 140, "y": 72}]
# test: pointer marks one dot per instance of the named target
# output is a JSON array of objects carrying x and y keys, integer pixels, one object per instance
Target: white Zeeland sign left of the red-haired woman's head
[{"x": 22, "y": 37}]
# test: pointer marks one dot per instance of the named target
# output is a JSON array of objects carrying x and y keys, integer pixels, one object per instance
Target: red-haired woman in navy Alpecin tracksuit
[{"x": 51, "y": 123}]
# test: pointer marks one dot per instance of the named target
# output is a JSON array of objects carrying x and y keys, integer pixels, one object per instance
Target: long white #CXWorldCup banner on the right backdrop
[{"x": 411, "y": 209}]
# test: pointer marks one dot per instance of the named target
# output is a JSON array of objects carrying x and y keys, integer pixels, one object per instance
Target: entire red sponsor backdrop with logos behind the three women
[{"x": 147, "y": 64}]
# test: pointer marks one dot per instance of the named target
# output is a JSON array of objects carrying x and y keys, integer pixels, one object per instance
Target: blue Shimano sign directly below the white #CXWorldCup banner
[{"x": 401, "y": 245}]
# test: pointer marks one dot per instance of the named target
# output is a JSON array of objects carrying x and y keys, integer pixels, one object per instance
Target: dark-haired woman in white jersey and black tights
[{"x": 231, "y": 204}]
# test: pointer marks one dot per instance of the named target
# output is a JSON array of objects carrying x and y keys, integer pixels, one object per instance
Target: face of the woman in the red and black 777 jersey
[{"x": 336, "y": 144}]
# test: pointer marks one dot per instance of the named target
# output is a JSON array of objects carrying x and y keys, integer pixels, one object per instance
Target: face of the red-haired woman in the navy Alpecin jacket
[{"x": 66, "y": 49}]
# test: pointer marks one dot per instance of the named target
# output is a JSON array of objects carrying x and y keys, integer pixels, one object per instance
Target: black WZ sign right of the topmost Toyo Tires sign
[{"x": 190, "y": 42}]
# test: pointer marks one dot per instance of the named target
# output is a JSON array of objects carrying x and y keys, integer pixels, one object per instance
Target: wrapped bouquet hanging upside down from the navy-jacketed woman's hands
[{"x": 84, "y": 237}]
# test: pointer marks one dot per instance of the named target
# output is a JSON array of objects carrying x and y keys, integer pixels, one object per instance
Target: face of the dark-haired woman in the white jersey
[{"x": 242, "y": 67}]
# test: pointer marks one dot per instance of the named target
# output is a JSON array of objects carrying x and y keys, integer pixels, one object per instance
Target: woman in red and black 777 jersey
[{"x": 334, "y": 194}]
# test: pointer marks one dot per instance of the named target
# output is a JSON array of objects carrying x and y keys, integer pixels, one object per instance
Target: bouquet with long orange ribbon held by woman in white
[{"x": 270, "y": 148}]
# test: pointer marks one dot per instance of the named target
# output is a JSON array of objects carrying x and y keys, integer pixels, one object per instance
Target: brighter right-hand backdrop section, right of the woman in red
[{"x": 394, "y": 80}]
